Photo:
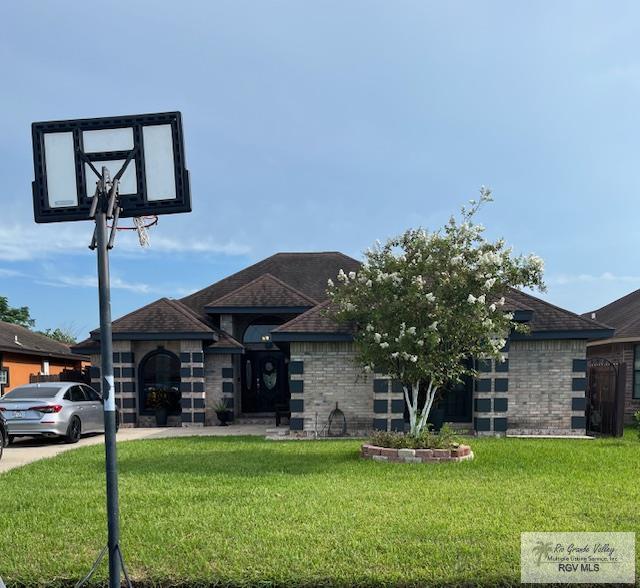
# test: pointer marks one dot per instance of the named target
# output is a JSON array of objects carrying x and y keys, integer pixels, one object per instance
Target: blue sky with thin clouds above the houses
[{"x": 327, "y": 125}]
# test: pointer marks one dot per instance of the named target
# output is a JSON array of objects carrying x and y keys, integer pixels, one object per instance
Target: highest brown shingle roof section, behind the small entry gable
[{"x": 306, "y": 272}]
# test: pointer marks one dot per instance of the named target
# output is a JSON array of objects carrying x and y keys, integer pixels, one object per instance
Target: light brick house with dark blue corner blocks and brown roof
[{"x": 260, "y": 340}]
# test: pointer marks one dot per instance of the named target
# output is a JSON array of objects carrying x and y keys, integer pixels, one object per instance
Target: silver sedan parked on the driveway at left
[{"x": 53, "y": 409}]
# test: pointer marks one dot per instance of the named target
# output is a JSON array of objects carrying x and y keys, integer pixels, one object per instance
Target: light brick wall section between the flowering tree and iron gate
[{"x": 546, "y": 387}]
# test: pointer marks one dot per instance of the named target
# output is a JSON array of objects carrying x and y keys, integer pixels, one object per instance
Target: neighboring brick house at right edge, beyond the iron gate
[{"x": 623, "y": 347}]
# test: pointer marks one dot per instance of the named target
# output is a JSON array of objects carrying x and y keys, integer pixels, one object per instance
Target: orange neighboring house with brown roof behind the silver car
[{"x": 25, "y": 354}]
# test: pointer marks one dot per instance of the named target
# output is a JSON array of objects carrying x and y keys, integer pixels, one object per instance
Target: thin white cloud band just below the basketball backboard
[{"x": 23, "y": 243}]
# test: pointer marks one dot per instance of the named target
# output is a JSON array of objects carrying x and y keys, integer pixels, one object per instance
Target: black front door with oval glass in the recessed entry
[{"x": 264, "y": 381}]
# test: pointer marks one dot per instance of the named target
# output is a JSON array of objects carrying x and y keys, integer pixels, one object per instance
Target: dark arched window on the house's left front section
[{"x": 159, "y": 382}]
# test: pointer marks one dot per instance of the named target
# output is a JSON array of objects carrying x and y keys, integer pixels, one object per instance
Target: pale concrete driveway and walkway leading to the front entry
[{"x": 29, "y": 449}]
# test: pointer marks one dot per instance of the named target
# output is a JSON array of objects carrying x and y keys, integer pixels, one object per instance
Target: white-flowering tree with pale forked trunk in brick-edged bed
[{"x": 424, "y": 303}]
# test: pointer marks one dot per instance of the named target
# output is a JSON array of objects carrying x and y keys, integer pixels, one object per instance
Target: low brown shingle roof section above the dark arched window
[{"x": 162, "y": 316}]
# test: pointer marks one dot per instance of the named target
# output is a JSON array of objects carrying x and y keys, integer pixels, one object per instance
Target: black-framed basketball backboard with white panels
[{"x": 155, "y": 182}]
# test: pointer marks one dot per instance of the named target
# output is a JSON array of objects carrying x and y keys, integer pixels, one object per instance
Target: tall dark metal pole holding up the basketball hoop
[{"x": 105, "y": 205}]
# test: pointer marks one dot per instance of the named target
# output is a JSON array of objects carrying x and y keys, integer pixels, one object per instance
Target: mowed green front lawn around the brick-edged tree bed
[{"x": 242, "y": 511}]
